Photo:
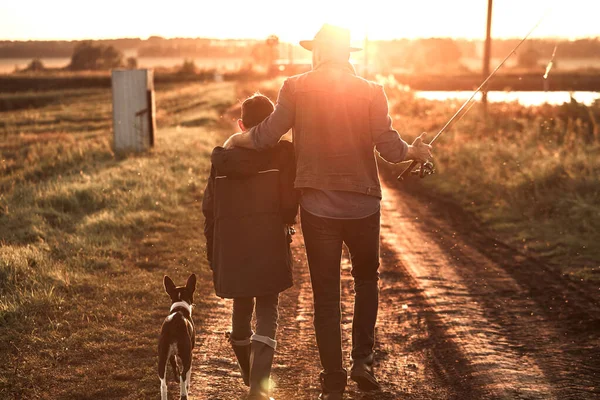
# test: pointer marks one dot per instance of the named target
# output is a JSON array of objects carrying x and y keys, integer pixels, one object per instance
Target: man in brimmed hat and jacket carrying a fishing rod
[{"x": 338, "y": 119}]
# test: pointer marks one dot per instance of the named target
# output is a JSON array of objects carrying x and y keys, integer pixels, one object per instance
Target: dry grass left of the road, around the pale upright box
[{"x": 86, "y": 237}]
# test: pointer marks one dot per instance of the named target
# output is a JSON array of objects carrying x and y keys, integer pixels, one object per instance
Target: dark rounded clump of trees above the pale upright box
[{"x": 88, "y": 56}]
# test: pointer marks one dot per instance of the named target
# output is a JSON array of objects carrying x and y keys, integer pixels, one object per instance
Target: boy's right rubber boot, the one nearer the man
[{"x": 261, "y": 360}]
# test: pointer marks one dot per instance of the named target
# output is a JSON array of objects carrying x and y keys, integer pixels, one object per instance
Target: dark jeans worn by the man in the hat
[{"x": 324, "y": 238}]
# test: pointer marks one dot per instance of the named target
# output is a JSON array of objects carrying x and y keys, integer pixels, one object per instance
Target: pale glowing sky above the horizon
[{"x": 292, "y": 20}]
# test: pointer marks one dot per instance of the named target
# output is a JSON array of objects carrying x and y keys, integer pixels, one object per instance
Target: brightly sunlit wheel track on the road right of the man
[{"x": 497, "y": 368}]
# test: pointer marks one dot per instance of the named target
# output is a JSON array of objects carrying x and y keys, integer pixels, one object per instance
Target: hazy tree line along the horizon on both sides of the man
[{"x": 429, "y": 55}]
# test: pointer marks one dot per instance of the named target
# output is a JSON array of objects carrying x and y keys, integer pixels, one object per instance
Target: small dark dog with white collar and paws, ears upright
[{"x": 177, "y": 336}]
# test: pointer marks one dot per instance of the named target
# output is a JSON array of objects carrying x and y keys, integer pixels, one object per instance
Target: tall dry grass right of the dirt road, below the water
[{"x": 528, "y": 173}]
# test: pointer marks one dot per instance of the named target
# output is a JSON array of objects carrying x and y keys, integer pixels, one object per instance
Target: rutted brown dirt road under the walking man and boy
[{"x": 462, "y": 316}]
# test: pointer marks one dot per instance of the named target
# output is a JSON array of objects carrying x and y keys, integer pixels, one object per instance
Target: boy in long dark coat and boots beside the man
[{"x": 249, "y": 206}]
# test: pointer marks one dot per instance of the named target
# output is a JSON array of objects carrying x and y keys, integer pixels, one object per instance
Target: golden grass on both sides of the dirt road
[{"x": 86, "y": 235}]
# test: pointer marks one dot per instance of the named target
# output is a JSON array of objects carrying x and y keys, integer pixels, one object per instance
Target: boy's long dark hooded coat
[{"x": 248, "y": 201}]
